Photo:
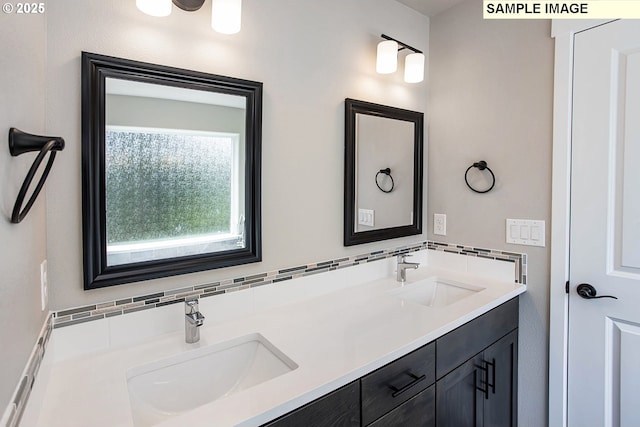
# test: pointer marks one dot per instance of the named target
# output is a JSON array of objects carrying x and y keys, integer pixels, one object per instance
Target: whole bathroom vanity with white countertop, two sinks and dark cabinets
[{"x": 348, "y": 347}]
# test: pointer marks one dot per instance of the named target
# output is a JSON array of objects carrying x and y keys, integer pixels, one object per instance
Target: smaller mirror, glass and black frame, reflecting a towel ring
[{"x": 383, "y": 172}]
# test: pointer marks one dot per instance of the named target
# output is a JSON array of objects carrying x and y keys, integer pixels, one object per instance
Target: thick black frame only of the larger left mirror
[{"x": 95, "y": 70}]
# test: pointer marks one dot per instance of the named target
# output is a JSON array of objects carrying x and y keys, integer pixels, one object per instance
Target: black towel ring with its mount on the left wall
[{"x": 20, "y": 143}]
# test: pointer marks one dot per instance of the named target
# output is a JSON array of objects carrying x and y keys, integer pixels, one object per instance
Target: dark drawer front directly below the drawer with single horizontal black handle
[{"x": 419, "y": 411}]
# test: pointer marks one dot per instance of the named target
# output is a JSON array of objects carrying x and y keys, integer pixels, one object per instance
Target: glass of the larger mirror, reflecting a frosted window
[{"x": 172, "y": 162}]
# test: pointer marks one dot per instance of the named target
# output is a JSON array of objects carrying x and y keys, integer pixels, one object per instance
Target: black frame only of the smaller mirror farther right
[{"x": 353, "y": 107}]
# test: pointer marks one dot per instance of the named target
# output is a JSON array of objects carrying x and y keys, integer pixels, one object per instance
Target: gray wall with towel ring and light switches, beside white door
[{"x": 491, "y": 87}]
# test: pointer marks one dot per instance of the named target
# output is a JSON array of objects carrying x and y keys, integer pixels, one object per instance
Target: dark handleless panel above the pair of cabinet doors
[{"x": 463, "y": 343}]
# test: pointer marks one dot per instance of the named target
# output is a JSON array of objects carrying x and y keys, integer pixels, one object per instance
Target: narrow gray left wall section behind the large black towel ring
[{"x": 22, "y": 246}]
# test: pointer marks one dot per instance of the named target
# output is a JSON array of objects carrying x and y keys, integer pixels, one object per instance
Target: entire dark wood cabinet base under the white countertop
[{"x": 466, "y": 378}]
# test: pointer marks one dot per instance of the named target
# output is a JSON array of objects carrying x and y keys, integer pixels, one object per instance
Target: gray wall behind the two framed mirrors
[{"x": 310, "y": 55}]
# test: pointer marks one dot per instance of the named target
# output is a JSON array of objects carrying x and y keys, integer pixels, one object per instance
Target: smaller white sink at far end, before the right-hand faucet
[{"x": 435, "y": 292}]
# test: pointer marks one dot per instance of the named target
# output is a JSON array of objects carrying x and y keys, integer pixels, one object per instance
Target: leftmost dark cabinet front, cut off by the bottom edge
[{"x": 340, "y": 408}]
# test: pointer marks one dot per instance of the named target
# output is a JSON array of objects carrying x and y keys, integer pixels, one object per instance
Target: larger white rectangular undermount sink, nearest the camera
[{"x": 169, "y": 387}]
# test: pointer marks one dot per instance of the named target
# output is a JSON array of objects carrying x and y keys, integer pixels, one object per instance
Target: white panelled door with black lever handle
[{"x": 604, "y": 333}]
